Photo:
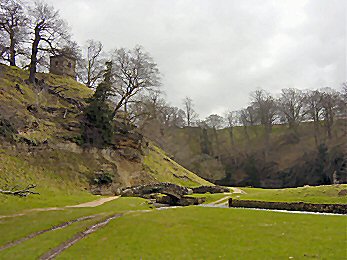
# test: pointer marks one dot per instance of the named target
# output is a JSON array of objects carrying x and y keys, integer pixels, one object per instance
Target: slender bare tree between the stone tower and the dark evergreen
[{"x": 91, "y": 67}]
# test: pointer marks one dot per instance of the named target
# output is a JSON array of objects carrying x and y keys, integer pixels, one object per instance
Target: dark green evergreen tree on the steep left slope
[{"x": 97, "y": 127}]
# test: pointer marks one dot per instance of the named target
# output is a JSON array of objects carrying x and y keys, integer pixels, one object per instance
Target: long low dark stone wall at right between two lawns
[{"x": 294, "y": 206}]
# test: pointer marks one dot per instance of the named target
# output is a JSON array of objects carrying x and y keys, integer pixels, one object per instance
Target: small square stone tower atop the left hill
[{"x": 63, "y": 65}]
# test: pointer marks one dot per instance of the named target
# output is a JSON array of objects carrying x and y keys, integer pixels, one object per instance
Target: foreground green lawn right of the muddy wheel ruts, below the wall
[{"x": 212, "y": 233}]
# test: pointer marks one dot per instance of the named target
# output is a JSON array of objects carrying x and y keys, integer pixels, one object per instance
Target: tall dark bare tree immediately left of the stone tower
[{"x": 49, "y": 32}]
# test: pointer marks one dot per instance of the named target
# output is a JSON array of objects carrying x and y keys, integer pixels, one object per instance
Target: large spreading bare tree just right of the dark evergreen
[{"x": 134, "y": 72}]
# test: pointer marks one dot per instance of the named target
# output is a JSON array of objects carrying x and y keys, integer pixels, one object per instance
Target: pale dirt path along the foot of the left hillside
[{"x": 90, "y": 204}]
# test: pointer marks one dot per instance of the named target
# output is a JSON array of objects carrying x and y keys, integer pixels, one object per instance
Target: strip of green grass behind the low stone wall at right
[{"x": 319, "y": 194}]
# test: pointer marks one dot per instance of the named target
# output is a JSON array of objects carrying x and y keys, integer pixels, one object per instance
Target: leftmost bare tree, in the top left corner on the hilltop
[{"x": 13, "y": 22}]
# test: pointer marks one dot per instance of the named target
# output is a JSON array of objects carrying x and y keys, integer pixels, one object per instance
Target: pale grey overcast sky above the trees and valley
[{"x": 217, "y": 52}]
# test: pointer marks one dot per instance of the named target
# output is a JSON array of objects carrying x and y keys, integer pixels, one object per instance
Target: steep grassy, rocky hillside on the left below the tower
[{"x": 39, "y": 133}]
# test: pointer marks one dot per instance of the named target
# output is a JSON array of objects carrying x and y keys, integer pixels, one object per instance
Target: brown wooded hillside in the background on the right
[{"x": 293, "y": 159}]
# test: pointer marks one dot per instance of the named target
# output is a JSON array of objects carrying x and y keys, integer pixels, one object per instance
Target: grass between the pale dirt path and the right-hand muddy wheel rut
[{"x": 19, "y": 227}]
